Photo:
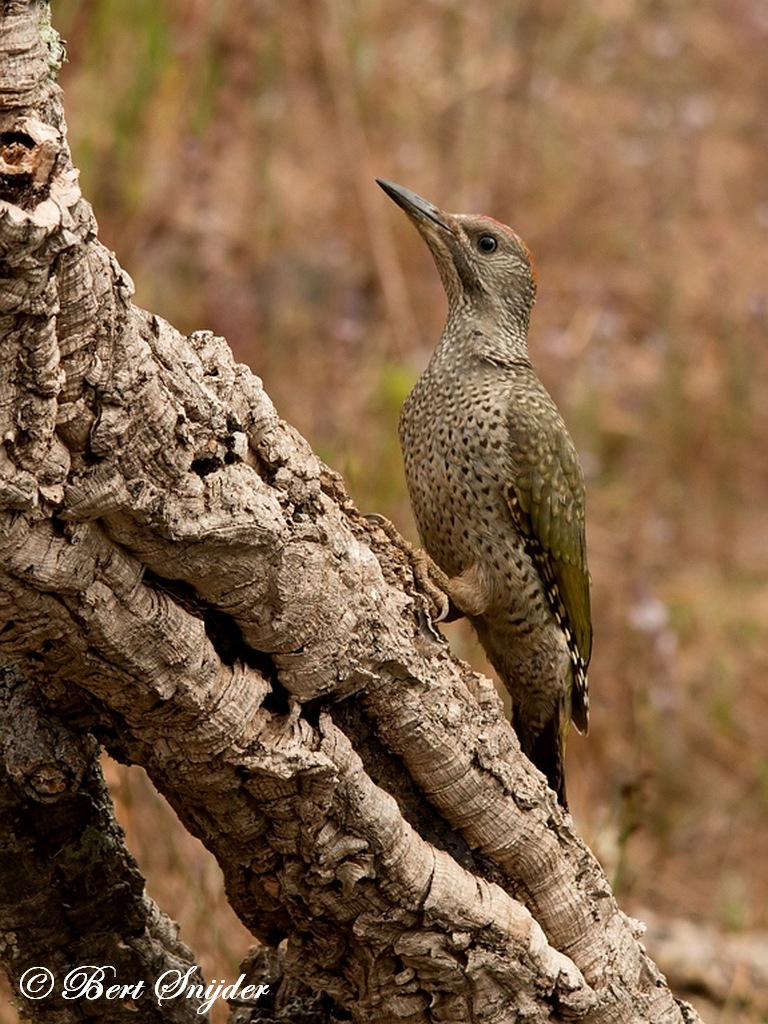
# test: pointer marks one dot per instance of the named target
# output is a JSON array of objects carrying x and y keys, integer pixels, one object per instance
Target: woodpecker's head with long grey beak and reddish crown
[{"x": 486, "y": 268}]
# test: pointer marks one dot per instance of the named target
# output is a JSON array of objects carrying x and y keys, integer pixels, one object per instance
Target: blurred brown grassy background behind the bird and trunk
[{"x": 230, "y": 152}]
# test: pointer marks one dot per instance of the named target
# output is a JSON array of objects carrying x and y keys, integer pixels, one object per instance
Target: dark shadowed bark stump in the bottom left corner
[{"x": 71, "y": 894}]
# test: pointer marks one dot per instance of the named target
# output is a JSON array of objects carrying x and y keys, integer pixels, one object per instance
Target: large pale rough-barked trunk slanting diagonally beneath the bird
[{"x": 182, "y": 576}]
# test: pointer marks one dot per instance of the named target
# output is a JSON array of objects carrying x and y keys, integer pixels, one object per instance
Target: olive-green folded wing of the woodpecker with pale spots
[{"x": 546, "y": 496}]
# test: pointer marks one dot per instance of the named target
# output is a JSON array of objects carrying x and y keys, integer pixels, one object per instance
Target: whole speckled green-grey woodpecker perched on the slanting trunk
[{"x": 495, "y": 482}]
